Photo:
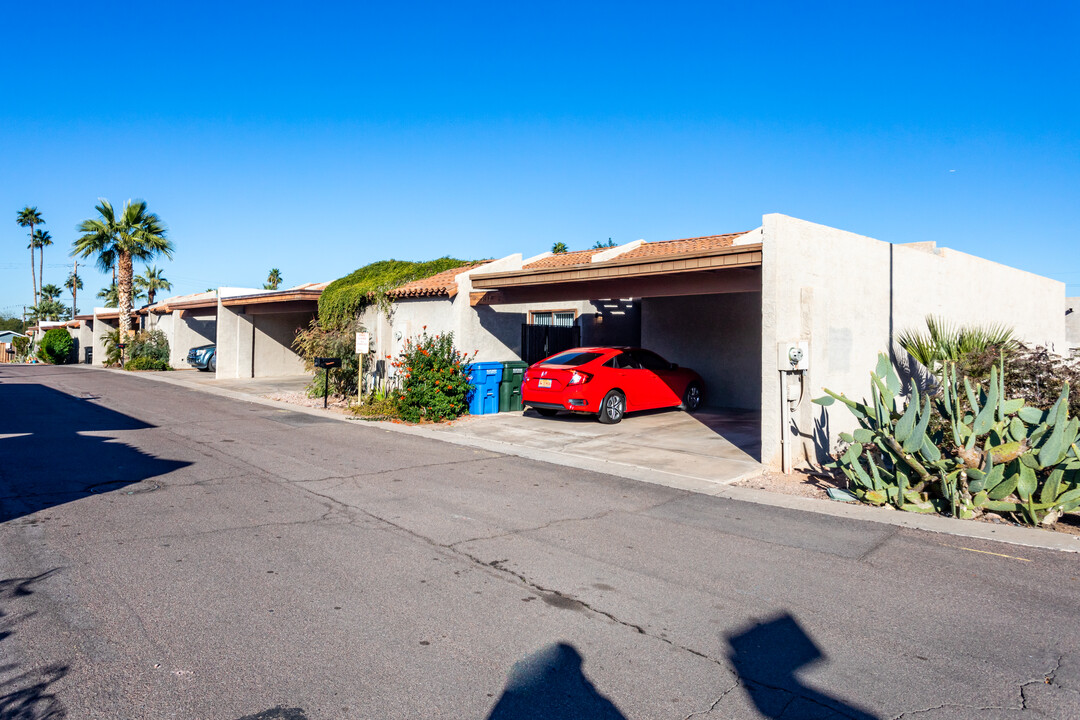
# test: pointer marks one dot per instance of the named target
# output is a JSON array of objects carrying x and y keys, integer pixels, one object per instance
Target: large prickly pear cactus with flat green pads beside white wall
[{"x": 962, "y": 454}]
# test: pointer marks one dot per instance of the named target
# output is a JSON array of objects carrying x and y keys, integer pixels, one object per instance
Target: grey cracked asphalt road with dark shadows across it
[{"x": 167, "y": 553}]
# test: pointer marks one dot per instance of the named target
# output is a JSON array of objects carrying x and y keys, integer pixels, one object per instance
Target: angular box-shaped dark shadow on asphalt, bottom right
[{"x": 767, "y": 657}]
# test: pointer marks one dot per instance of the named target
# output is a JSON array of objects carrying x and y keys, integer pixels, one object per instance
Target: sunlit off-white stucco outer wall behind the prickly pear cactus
[{"x": 849, "y": 296}]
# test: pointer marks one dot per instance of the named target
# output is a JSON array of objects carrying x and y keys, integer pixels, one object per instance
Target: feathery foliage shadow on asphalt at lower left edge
[{"x": 25, "y": 696}]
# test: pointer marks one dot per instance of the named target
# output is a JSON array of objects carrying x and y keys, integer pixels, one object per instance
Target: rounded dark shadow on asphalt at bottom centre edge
[{"x": 550, "y": 684}]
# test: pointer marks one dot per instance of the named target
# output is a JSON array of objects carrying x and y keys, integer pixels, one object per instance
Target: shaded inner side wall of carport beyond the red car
[{"x": 720, "y": 336}]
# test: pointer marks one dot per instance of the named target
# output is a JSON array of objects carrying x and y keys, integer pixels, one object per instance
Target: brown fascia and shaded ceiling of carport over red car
[{"x": 724, "y": 270}]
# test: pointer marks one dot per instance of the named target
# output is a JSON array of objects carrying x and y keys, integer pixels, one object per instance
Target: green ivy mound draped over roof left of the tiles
[{"x": 347, "y": 297}]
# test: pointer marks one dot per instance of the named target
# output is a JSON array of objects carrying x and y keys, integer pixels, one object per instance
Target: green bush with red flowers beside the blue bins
[{"x": 435, "y": 385}]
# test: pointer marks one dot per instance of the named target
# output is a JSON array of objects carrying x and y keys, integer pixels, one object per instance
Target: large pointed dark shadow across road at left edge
[{"x": 48, "y": 459}]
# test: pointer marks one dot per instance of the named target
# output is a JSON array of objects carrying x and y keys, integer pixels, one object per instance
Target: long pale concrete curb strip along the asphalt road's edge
[{"x": 1005, "y": 534}]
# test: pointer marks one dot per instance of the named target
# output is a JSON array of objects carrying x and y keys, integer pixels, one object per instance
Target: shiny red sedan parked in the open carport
[{"x": 610, "y": 383}]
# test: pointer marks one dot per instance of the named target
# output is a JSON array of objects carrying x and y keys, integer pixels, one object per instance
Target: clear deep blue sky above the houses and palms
[{"x": 317, "y": 139}]
